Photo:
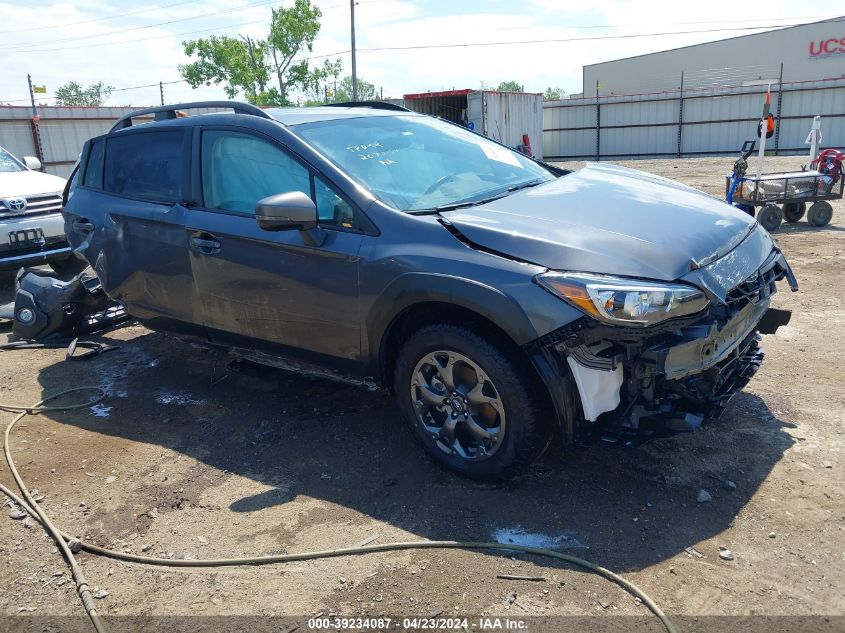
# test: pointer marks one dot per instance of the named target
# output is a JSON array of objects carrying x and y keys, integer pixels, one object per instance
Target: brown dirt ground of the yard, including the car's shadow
[{"x": 176, "y": 463}]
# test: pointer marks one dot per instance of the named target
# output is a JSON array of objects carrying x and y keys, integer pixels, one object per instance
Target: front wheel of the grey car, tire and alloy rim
[{"x": 472, "y": 405}]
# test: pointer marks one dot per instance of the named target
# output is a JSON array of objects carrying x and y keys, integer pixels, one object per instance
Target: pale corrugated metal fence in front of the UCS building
[{"x": 692, "y": 122}]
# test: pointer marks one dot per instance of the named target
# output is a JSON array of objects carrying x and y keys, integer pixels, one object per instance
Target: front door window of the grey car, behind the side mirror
[{"x": 238, "y": 170}]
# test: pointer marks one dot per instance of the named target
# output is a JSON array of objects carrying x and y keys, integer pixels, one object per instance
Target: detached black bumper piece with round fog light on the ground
[{"x": 48, "y": 309}]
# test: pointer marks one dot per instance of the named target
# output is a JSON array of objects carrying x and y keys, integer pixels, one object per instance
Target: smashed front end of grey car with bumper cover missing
[{"x": 636, "y": 383}]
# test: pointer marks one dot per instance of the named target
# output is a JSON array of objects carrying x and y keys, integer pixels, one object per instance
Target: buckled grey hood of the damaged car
[{"x": 611, "y": 220}]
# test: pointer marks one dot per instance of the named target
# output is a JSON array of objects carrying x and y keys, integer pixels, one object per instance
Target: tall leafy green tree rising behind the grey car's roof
[{"x": 244, "y": 64}]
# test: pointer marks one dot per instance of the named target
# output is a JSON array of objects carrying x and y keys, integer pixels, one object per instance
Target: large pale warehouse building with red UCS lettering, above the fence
[{"x": 808, "y": 52}]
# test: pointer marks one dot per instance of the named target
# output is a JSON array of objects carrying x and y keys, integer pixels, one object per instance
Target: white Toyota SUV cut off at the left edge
[{"x": 31, "y": 224}]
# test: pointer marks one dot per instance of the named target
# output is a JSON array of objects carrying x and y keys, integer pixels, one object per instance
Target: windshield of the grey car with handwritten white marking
[{"x": 415, "y": 163}]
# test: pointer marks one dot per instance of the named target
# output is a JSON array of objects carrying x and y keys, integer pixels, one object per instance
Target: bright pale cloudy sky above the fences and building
[{"x": 126, "y": 44}]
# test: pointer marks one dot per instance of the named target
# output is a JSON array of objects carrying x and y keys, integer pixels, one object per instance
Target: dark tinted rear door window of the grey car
[{"x": 146, "y": 165}]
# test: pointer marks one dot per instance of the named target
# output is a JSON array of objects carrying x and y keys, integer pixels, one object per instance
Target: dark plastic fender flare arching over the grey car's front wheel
[{"x": 411, "y": 289}]
